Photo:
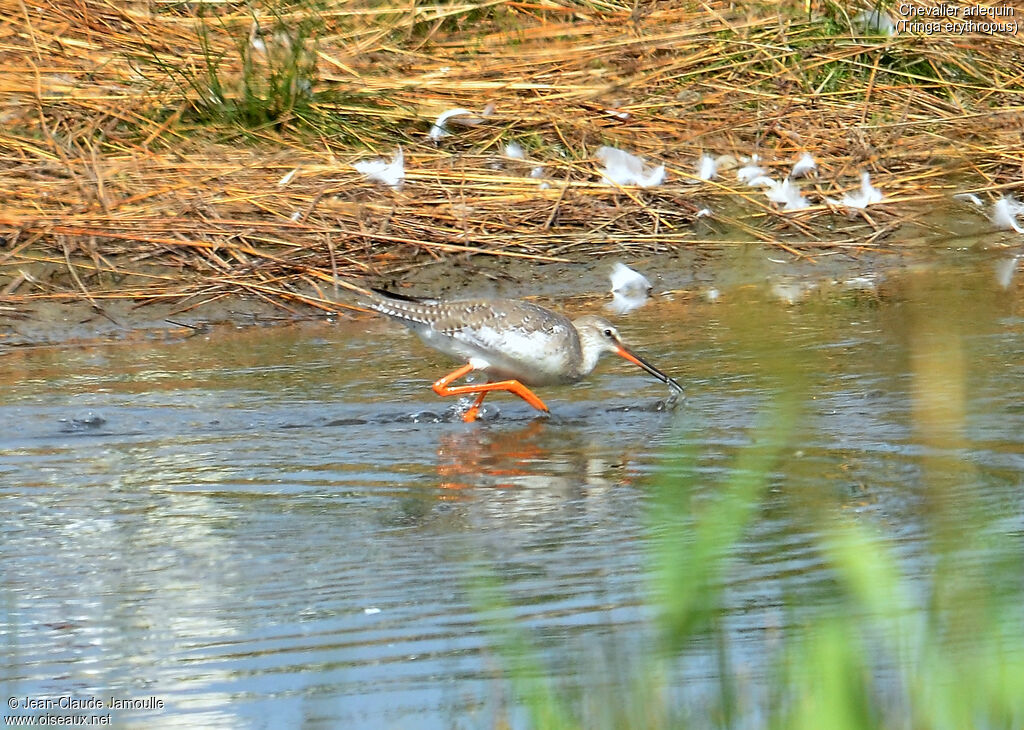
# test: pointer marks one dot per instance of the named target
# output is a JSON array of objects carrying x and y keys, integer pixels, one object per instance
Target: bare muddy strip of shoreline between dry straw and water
[{"x": 705, "y": 273}]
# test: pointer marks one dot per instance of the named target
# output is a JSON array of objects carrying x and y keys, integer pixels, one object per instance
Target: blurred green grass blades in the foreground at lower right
[{"x": 880, "y": 648}]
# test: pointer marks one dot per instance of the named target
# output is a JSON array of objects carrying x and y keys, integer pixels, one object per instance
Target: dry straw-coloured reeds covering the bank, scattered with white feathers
[{"x": 193, "y": 151}]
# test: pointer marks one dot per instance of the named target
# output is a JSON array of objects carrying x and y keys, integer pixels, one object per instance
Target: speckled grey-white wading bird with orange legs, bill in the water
[{"x": 516, "y": 343}]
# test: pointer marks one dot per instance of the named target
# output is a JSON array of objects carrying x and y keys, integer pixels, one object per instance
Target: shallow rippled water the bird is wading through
[{"x": 282, "y": 527}]
